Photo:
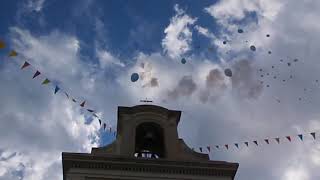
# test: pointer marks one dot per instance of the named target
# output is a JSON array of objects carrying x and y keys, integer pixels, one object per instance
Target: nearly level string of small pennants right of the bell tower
[{"x": 261, "y": 142}]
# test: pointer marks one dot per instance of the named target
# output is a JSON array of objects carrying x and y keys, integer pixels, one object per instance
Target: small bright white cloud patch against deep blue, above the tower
[{"x": 178, "y": 34}]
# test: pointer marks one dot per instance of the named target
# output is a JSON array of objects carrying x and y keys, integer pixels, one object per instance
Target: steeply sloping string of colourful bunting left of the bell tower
[{"x": 58, "y": 89}]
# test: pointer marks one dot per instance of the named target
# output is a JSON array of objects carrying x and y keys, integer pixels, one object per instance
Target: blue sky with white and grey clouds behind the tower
[{"x": 91, "y": 48}]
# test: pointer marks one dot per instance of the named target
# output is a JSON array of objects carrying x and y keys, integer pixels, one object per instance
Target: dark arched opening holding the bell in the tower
[{"x": 149, "y": 141}]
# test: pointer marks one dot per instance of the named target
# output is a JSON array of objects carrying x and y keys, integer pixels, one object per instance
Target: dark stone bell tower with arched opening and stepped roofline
[{"x": 148, "y": 147}]
